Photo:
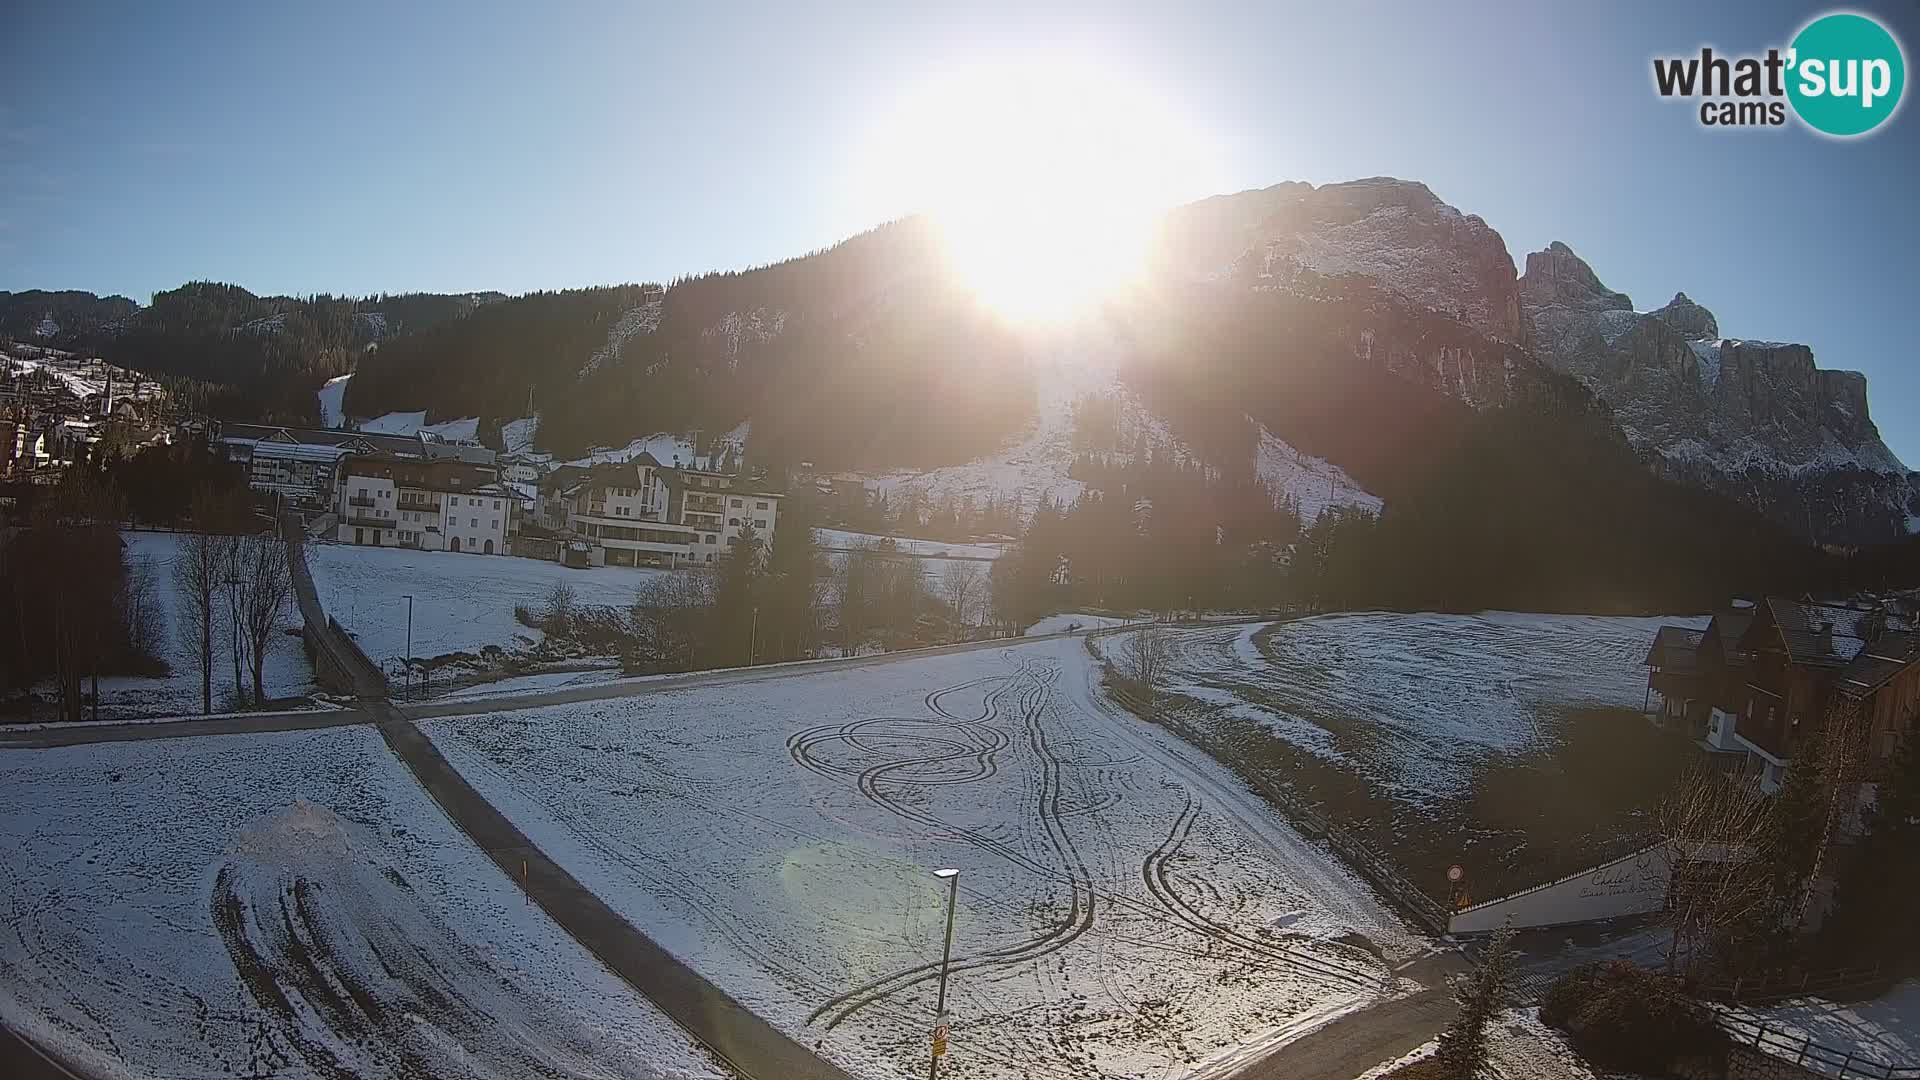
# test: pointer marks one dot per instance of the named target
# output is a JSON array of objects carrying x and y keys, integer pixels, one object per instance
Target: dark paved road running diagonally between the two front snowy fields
[{"x": 740, "y": 1039}]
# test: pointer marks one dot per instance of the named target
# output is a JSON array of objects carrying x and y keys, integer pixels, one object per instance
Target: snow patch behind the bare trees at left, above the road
[{"x": 289, "y": 674}]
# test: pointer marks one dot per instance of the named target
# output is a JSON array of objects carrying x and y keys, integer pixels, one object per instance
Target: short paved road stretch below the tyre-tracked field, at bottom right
[{"x": 1372, "y": 1037}]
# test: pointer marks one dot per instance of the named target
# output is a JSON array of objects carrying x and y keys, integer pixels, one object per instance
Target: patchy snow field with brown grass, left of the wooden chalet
[{"x": 1512, "y": 745}]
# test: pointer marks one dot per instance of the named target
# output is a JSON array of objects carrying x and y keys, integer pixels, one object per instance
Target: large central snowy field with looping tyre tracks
[{"x": 1126, "y": 908}]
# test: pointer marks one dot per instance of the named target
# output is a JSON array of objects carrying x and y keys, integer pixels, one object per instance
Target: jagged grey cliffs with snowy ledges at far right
[{"x": 1754, "y": 420}]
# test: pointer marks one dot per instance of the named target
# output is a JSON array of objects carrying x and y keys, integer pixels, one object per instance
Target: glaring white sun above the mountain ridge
[{"x": 1047, "y": 182}]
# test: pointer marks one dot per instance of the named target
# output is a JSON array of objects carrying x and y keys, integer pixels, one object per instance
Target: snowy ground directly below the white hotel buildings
[{"x": 460, "y": 602}]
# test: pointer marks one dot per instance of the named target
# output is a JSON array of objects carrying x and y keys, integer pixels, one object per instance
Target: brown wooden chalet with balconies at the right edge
[{"x": 1802, "y": 656}]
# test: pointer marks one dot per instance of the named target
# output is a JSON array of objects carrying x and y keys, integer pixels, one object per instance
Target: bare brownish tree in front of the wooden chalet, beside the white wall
[{"x": 1719, "y": 839}]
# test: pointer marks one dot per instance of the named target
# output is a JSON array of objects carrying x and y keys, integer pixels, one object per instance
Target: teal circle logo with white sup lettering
[{"x": 1846, "y": 74}]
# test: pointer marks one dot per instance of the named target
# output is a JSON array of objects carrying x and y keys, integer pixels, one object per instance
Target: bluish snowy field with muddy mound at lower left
[{"x": 287, "y": 906}]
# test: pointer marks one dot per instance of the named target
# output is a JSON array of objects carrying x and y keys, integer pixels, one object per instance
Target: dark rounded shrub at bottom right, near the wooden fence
[{"x": 1625, "y": 1018}]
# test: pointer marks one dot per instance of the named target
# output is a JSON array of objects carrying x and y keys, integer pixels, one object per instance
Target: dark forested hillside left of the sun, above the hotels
[{"x": 861, "y": 356}]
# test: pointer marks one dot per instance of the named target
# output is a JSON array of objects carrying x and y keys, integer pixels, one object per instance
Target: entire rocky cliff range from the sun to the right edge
[{"x": 1752, "y": 420}]
